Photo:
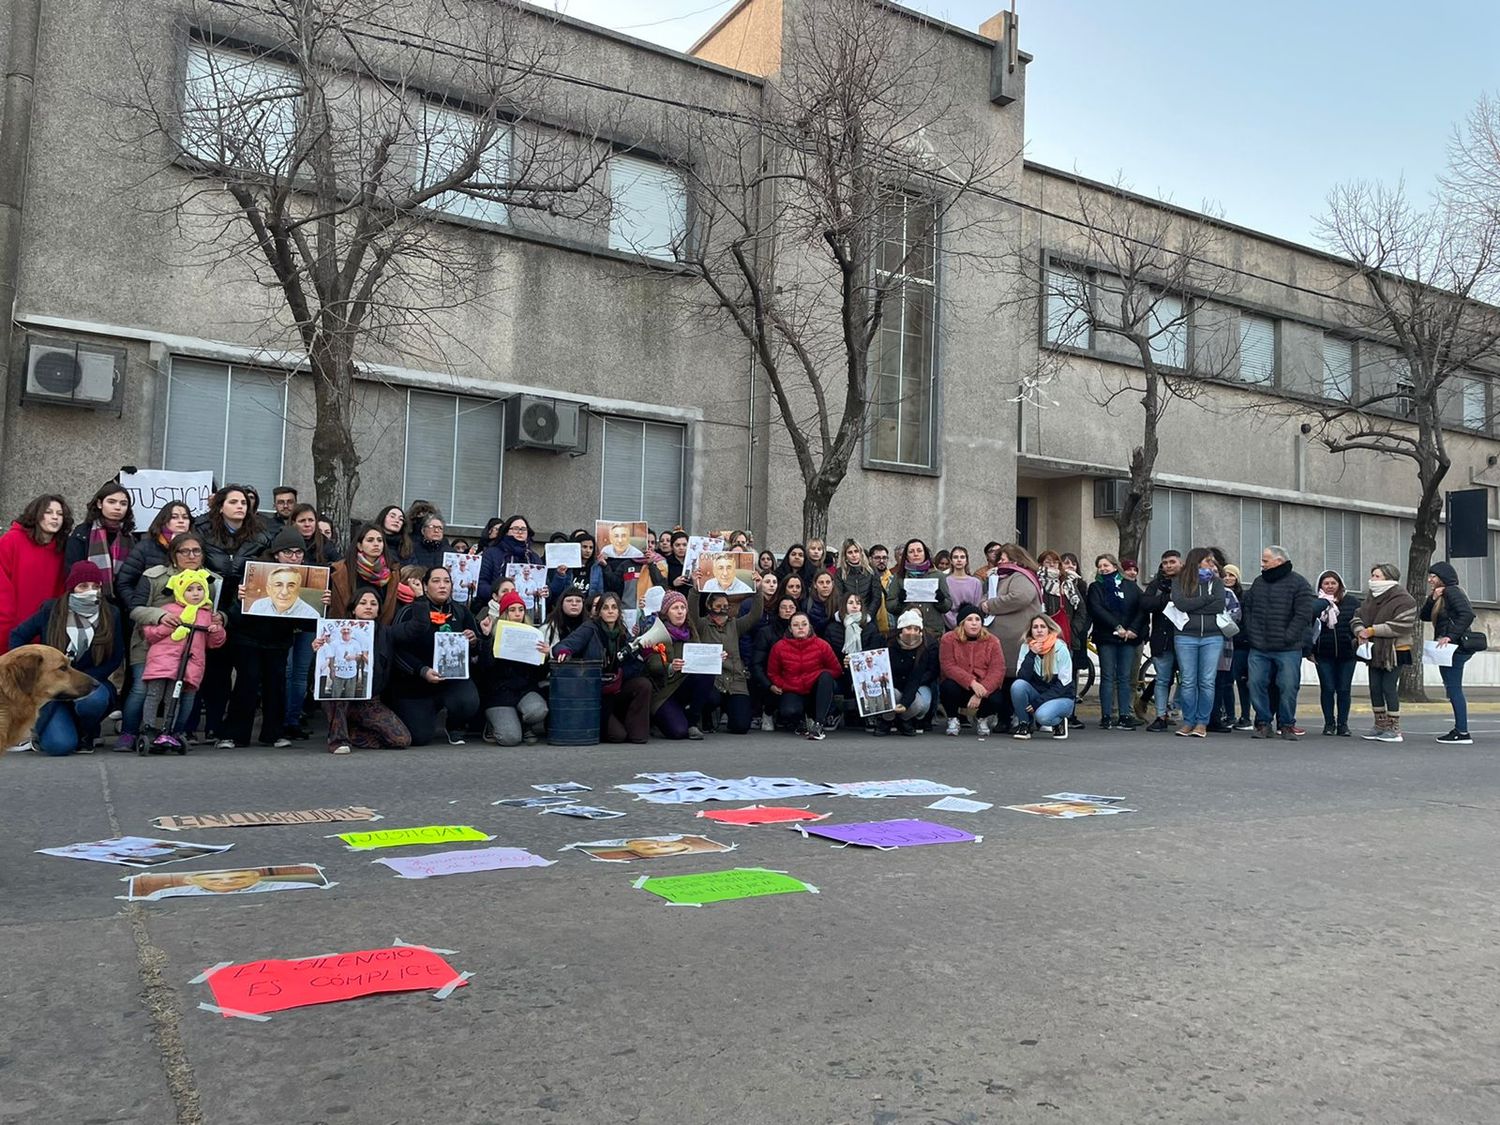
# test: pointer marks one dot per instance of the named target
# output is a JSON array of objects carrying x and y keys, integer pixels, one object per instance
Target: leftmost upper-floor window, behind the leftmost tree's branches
[{"x": 239, "y": 110}]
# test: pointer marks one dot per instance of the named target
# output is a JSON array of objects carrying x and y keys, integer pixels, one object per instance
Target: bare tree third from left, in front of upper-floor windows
[{"x": 1123, "y": 284}]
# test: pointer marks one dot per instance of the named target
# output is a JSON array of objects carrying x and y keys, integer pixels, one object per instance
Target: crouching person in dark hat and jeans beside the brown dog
[{"x": 86, "y": 629}]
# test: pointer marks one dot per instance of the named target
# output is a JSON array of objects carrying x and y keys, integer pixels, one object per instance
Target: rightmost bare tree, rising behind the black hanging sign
[{"x": 1423, "y": 278}]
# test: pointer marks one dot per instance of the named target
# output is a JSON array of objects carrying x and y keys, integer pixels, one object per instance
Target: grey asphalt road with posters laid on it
[{"x": 1282, "y": 934}]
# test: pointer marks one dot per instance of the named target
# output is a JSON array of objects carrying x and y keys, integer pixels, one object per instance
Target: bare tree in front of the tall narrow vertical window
[{"x": 817, "y": 220}]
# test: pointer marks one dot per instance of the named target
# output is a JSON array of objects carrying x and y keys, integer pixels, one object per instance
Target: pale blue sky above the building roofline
[{"x": 1255, "y": 109}]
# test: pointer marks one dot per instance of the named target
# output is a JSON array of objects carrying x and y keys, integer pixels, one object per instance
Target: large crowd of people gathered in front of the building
[{"x": 989, "y": 643}]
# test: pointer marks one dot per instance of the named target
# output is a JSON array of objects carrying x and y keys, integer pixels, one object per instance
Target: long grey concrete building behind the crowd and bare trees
[{"x": 581, "y": 344}]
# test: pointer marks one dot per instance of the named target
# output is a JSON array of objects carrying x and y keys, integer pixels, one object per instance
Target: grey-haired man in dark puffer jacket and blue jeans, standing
[{"x": 1279, "y": 614}]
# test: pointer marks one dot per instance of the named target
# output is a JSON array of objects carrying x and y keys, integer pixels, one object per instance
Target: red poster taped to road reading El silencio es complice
[{"x": 269, "y": 986}]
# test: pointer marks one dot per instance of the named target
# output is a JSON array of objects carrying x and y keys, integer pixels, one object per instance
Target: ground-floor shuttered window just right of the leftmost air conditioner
[{"x": 227, "y": 419}]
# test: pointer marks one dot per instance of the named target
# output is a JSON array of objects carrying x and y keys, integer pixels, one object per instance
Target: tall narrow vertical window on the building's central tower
[{"x": 904, "y": 364}]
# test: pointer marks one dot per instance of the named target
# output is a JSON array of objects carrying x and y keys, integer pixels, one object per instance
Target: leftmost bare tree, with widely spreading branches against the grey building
[{"x": 314, "y": 148}]
